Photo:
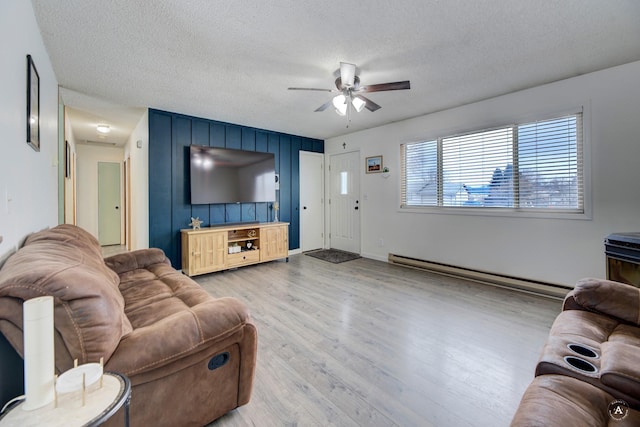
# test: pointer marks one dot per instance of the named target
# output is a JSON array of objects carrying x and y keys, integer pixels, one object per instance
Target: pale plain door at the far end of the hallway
[{"x": 109, "y": 212}]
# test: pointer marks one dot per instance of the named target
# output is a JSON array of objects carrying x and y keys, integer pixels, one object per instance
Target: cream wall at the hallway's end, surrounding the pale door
[{"x": 87, "y": 183}]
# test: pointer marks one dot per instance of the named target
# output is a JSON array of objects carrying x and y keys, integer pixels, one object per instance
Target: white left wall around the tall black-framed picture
[{"x": 28, "y": 178}]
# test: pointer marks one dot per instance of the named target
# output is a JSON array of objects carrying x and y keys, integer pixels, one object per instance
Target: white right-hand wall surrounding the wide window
[{"x": 550, "y": 250}]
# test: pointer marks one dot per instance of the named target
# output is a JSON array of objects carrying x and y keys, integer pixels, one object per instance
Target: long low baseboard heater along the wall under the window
[{"x": 524, "y": 285}]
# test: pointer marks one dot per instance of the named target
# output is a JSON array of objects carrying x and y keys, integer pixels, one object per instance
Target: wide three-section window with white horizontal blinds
[{"x": 530, "y": 166}]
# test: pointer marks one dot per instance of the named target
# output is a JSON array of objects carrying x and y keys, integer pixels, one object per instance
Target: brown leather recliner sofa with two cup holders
[{"x": 590, "y": 362}]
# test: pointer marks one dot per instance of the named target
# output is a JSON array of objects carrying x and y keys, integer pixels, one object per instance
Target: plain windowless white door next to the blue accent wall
[{"x": 311, "y": 201}]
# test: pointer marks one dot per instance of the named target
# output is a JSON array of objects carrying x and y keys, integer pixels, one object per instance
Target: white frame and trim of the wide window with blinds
[{"x": 516, "y": 212}]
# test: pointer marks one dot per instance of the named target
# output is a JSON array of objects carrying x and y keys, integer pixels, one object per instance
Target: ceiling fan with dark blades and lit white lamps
[{"x": 349, "y": 89}]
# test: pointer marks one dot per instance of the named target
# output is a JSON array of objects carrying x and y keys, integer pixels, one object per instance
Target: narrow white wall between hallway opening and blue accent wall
[{"x": 139, "y": 158}]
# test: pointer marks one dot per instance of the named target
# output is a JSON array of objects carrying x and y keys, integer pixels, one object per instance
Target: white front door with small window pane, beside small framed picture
[{"x": 345, "y": 201}]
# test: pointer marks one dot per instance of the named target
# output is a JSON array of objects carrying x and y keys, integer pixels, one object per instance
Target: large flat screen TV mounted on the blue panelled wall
[{"x": 222, "y": 175}]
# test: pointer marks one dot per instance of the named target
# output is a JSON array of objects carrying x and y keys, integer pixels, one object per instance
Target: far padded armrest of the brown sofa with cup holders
[{"x": 611, "y": 298}]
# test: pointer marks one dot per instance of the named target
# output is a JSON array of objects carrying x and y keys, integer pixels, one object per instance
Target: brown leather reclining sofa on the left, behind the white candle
[{"x": 190, "y": 357}]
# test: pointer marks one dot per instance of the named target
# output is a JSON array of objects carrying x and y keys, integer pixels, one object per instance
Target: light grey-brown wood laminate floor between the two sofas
[{"x": 366, "y": 343}]
